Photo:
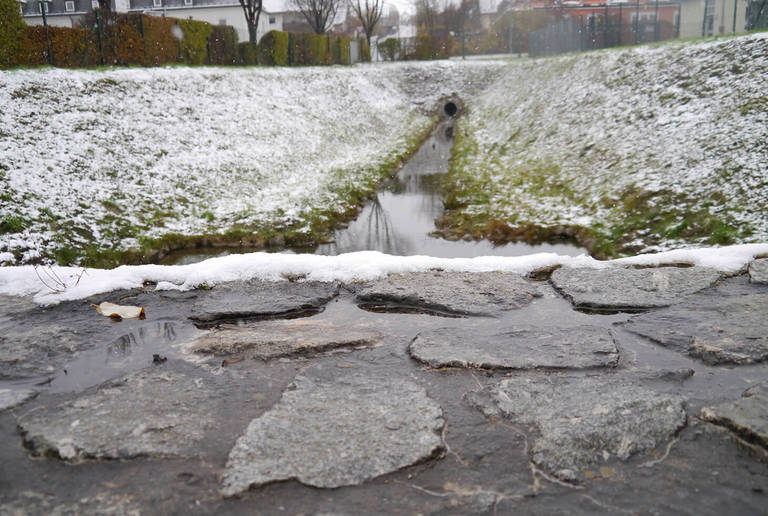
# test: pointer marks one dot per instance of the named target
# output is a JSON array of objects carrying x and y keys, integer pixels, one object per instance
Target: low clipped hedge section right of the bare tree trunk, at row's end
[{"x": 295, "y": 49}]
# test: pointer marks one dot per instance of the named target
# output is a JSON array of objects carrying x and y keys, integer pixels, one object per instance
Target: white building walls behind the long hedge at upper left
[{"x": 71, "y": 13}]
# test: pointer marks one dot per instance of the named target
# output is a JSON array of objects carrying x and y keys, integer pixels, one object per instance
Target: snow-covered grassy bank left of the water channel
[{"x": 102, "y": 167}]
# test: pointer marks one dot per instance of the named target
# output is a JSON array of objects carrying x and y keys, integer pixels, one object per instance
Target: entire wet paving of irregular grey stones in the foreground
[{"x": 94, "y": 424}]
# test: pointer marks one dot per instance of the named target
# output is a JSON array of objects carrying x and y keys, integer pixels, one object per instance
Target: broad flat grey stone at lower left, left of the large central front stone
[{"x": 150, "y": 412}]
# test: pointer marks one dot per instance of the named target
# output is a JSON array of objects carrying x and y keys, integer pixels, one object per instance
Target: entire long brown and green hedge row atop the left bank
[{"x": 137, "y": 39}]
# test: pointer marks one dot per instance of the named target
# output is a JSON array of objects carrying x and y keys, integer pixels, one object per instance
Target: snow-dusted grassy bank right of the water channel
[{"x": 626, "y": 150}]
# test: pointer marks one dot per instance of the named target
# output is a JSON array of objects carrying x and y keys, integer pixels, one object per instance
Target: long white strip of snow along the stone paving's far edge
[{"x": 364, "y": 265}]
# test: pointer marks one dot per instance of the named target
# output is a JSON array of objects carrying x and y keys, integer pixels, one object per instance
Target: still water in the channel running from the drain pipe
[{"x": 399, "y": 220}]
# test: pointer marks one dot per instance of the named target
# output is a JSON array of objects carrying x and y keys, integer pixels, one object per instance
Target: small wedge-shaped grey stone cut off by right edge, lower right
[{"x": 747, "y": 416}]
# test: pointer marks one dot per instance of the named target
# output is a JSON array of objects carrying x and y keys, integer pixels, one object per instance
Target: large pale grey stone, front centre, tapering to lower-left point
[{"x": 336, "y": 432}]
